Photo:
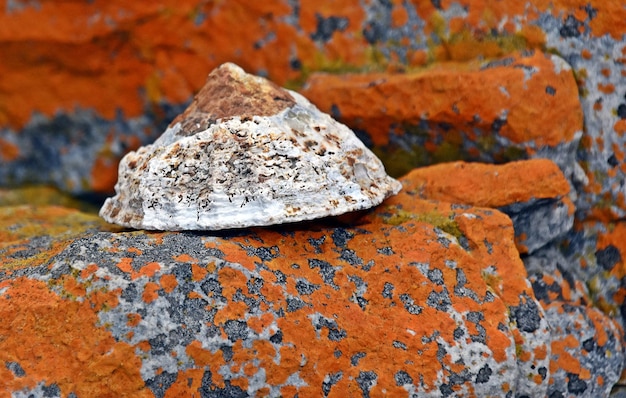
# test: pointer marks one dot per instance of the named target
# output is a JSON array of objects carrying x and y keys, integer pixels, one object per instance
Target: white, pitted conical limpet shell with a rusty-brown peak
[{"x": 246, "y": 153}]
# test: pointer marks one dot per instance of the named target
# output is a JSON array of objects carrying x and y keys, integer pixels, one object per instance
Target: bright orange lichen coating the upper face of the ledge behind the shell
[{"x": 374, "y": 102}]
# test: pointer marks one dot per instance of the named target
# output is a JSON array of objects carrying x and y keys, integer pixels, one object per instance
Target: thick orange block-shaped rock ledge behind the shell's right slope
[{"x": 489, "y": 111}]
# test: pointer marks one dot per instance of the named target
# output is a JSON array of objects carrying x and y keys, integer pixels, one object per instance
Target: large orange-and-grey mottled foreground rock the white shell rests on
[{"x": 418, "y": 297}]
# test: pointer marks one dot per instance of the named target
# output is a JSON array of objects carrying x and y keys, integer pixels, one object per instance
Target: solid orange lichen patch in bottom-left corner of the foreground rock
[{"x": 93, "y": 361}]
